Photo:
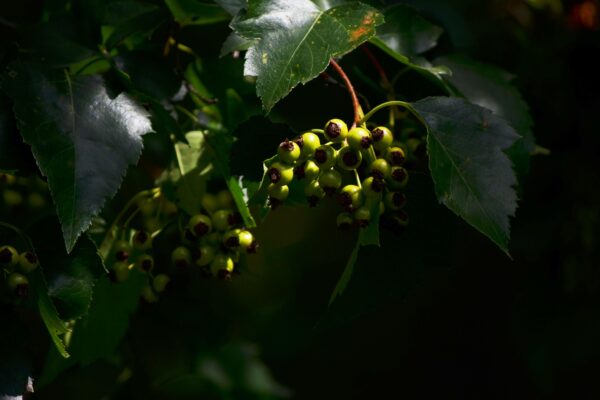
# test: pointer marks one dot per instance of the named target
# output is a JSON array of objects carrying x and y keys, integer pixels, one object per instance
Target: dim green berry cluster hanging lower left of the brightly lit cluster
[{"x": 212, "y": 240}]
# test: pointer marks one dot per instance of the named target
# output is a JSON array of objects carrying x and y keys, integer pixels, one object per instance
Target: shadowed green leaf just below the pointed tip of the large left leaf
[{"x": 70, "y": 278}]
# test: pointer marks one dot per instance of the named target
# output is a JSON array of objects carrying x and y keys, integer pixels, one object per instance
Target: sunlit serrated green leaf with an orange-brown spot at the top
[{"x": 295, "y": 41}]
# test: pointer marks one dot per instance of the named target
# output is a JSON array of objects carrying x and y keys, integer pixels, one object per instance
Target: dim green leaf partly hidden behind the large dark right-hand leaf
[{"x": 490, "y": 87}]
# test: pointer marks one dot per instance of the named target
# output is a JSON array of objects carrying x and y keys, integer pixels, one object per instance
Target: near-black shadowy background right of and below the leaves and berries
[{"x": 439, "y": 312}]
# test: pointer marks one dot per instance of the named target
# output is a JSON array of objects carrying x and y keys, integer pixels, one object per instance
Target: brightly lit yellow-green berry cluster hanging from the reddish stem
[{"x": 360, "y": 167}]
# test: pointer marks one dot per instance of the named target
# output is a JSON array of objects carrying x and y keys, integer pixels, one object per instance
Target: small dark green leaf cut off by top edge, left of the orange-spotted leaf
[{"x": 196, "y": 12}]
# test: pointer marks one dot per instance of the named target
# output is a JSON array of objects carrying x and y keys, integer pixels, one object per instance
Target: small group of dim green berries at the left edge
[{"x": 15, "y": 266}]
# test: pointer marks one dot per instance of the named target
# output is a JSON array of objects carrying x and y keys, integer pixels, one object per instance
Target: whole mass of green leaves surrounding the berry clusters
[{"x": 93, "y": 83}]
